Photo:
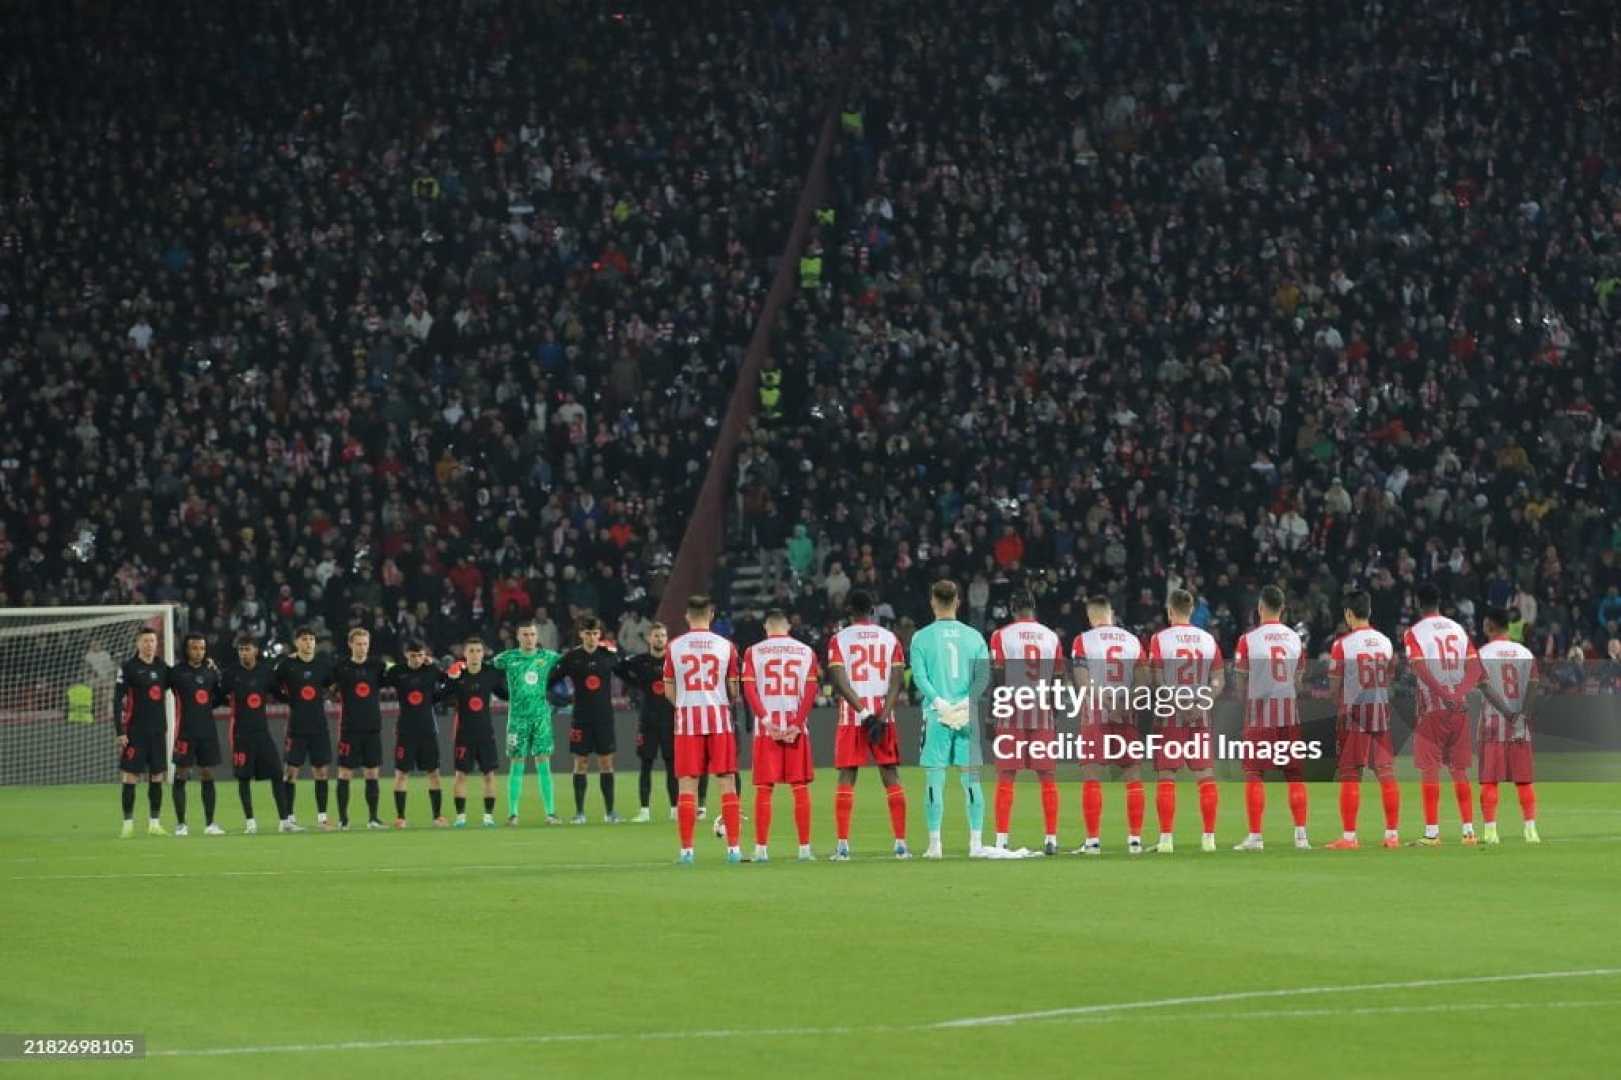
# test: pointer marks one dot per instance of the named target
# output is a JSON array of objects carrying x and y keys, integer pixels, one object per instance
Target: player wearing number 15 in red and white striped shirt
[{"x": 1448, "y": 667}]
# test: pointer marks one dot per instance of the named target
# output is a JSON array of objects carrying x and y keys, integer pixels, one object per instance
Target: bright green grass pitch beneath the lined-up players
[{"x": 584, "y": 951}]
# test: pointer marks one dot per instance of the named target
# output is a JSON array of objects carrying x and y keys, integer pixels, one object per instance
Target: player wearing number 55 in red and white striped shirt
[{"x": 781, "y": 684}]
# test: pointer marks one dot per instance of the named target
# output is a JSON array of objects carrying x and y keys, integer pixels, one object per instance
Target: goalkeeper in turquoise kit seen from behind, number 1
[{"x": 951, "y": 667}]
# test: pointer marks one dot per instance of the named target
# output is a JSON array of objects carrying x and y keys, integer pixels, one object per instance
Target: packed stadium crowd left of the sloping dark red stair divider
[{"x": 417, "y": 317}]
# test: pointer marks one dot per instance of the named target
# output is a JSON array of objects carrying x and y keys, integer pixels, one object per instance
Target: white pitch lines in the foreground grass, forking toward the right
[{"x": 1084, "y": 1014}]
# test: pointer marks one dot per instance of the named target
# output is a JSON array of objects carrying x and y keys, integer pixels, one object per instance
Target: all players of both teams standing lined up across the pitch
[{"x": 691, "y": 685}]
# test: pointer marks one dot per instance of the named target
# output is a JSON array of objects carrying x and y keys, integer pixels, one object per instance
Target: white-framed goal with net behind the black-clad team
[{"x": 58, "y": 674}]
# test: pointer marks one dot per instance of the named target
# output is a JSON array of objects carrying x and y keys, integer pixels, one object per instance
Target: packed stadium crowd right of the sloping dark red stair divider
[{"x": 1113, "y": 298}]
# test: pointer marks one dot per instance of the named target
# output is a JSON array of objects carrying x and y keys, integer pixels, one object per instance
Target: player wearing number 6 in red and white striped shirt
[{"x": 1268, "y": 667}]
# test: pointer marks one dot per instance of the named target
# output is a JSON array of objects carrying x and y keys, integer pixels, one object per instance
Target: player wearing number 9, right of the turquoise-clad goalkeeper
[{"x": 1025, "y": 656}]
